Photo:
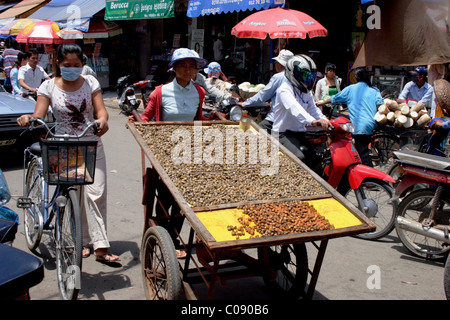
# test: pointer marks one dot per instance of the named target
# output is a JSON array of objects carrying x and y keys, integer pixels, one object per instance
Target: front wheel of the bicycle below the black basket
[{"x": 68, "y": 238}]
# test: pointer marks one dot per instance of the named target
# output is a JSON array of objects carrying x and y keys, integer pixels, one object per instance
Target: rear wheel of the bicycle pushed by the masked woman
[{"x": 34, "y": 216}]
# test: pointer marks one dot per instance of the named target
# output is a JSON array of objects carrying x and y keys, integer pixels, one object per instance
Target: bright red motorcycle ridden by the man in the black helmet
[{"x": 367, "y": 188}]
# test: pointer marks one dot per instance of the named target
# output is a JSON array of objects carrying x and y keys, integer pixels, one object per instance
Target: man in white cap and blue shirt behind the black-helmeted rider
[{"x": 270, "y": 90}]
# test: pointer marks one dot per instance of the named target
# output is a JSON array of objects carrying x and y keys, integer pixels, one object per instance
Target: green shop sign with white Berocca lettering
[{"x": 139, "y": 9}]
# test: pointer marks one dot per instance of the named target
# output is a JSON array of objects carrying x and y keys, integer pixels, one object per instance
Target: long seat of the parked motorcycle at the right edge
[{"x": 422, "y": 159}]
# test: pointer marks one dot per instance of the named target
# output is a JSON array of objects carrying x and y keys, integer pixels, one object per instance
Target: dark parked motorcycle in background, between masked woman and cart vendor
[{"x": 127, "y": 94}]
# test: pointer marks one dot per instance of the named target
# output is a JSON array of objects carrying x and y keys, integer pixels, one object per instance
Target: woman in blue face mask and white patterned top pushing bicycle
[{"x": 76, "y": 98}]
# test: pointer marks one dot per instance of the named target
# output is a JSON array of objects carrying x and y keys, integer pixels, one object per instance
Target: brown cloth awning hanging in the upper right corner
[{"x": 411, "y": 33}]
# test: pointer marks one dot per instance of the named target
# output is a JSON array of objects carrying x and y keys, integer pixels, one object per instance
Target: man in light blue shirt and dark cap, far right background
[{"x": 418, "y": 89}]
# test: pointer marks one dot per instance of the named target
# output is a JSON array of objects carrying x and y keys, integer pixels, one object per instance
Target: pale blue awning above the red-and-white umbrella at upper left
[{"x": 70, "y": 13}]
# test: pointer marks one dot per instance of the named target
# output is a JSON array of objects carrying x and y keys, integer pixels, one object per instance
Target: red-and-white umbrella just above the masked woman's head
[{"x": 43, "y": 32}]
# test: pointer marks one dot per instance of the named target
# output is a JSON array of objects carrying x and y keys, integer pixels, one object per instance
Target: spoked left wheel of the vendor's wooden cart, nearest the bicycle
[{"x": 160, "y": 268}]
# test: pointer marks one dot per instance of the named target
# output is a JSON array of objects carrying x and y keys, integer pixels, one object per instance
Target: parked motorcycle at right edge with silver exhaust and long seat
[{"x": 423, "y": 214}]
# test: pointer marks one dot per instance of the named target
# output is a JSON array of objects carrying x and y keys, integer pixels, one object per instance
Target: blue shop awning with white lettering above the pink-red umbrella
[{"x": 205, "y": 7}]
